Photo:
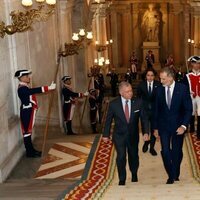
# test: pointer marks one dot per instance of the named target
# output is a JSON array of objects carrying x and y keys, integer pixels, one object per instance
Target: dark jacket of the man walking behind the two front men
[{"x": 142, "y": 92}]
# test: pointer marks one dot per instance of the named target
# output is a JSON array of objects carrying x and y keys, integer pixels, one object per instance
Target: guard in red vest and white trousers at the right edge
[{"x": 192, "y": 79}]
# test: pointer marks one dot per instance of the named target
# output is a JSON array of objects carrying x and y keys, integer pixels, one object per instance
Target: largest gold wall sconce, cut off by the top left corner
[{"x": 22, "y": 21}]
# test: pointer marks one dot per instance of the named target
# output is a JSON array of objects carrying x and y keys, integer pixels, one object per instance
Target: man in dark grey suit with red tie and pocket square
[{"x": 126, "y": 113}]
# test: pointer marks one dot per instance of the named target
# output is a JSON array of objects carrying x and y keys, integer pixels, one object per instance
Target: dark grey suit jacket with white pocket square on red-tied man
[{"x": 122, "y": 129}]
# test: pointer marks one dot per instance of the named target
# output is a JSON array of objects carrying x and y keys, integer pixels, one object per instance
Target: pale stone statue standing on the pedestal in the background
[{"x": 151, "y": 24}]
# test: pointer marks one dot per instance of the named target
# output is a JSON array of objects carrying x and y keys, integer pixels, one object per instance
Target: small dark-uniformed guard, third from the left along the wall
[{"x": 93, "y": 109}]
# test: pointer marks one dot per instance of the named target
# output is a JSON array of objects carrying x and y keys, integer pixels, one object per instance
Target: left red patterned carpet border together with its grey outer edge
[{"x": 98, "y": 173}]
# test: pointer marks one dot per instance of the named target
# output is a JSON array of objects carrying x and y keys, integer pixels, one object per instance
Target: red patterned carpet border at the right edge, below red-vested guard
[{"x": 193, "y": 148}]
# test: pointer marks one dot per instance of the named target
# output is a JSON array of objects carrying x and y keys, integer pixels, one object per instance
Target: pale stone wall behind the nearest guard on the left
[{"x": 35, "y": 50}]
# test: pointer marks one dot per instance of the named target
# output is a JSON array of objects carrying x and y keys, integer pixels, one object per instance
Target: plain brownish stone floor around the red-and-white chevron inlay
[{"x": 22, "y": 184}]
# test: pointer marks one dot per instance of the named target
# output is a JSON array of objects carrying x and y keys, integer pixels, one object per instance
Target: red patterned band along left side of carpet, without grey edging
[{"x": 99, "y": 176}]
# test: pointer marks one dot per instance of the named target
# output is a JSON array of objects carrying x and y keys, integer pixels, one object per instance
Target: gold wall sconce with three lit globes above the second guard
[{"x": 80, "y": 41}]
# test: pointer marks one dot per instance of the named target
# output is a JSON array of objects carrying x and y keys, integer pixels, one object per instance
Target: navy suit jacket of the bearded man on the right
[{"x": 180, "y": 112}]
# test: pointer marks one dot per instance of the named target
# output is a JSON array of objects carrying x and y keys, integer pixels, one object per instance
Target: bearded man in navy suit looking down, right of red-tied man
[{"x": 172, "y": 113}]
